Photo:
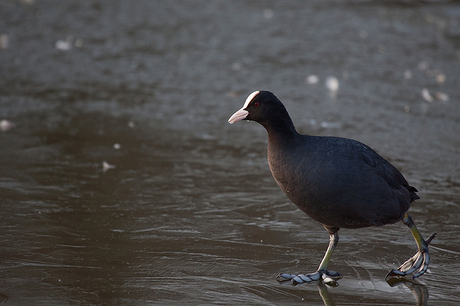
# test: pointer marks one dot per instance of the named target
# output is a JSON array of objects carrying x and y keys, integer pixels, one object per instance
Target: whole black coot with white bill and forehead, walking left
[{"x": 338, "y": 182}]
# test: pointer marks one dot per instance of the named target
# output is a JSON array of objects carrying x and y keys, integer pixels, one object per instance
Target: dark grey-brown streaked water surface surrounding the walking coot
[{"x": 190, "y": 214}]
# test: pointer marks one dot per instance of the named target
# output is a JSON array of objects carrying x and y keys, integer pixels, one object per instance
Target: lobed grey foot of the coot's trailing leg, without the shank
[{"x": 416, "y": 265}]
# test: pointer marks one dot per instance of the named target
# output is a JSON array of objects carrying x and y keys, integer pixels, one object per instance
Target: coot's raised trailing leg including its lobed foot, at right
[{"x": 417, "y": 264}]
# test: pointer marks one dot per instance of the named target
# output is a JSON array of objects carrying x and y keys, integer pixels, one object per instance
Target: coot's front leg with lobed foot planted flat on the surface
[{"x": 327, "y": 276}]
